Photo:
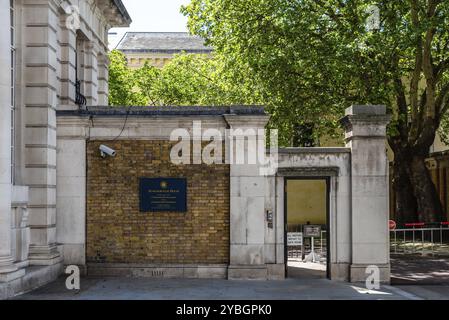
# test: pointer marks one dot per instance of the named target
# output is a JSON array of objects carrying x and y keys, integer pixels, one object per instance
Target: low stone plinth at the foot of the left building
[{"x": 35, "y": 277}]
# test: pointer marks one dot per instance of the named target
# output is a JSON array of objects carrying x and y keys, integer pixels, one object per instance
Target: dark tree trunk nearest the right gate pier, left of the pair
[{"x": 405, "y": 201}]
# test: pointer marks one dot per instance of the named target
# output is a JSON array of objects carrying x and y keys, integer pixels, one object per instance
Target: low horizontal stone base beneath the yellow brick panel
[{"x": 212, "y": 271}]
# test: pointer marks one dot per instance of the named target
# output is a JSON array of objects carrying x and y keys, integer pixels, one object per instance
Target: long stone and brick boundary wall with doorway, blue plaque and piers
[{"x": 178, "y": 200}]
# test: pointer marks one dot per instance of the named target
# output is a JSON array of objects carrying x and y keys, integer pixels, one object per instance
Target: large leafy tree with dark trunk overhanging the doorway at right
[{"x": 313, "y": 58}]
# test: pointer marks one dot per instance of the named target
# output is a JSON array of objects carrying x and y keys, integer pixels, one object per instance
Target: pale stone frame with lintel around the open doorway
[{"x": 331, "y": 164}]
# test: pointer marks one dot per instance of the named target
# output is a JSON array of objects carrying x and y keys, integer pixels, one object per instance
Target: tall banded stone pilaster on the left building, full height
[{"x": 40, "y": 98}]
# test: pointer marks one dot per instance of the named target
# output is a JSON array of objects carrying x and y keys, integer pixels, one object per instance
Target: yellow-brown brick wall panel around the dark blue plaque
[{"x": 118, "y": 233}]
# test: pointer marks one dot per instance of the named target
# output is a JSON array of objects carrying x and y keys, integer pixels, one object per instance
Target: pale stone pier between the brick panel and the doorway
[{"x": 247, "y": 198}]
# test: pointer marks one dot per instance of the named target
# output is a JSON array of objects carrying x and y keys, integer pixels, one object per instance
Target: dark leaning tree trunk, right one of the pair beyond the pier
[{"x": 428, "y": 201}]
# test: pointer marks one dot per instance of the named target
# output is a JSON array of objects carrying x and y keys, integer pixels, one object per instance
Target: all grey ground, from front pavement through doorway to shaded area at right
[{"x": 413, "y": 279}]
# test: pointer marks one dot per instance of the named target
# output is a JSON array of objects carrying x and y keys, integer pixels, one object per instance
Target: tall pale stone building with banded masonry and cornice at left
[{"x": 53, "y": 56}]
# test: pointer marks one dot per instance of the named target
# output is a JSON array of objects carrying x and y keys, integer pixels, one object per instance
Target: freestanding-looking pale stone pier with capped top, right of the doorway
[{"x": 366, "y": 136}]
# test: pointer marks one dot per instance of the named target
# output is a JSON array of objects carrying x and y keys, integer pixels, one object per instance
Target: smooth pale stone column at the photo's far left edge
[{"x": 8, "y": 270}]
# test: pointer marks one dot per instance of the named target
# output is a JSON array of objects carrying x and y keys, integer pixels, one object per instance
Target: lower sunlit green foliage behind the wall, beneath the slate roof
[{"x": 188, "y": 79}]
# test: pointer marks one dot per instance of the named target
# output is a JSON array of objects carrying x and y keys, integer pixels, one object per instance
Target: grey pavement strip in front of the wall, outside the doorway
[{"x": 202, "y": 289}]
